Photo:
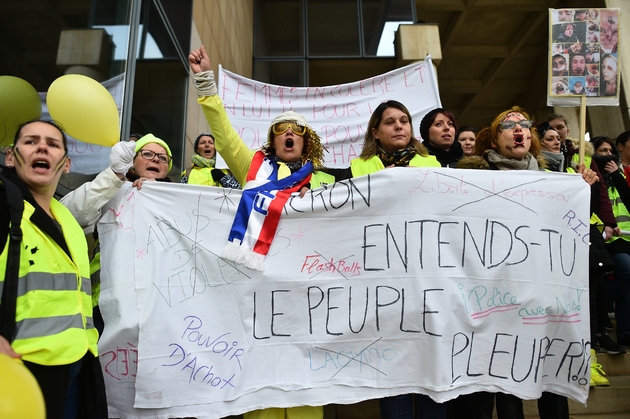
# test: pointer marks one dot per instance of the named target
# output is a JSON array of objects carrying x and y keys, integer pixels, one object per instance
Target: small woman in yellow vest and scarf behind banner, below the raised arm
[{"x": 203, "y": 171}]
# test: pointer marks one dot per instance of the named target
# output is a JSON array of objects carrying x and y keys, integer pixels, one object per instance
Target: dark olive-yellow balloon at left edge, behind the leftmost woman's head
[{"x": 19, "y": 103}]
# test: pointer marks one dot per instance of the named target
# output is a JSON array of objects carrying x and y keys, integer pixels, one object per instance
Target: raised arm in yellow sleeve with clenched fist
[{"x": 227, "y": 141}]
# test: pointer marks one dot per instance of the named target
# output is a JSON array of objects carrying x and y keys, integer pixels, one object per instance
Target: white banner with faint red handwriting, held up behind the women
[{"x": 339, "y": 114}]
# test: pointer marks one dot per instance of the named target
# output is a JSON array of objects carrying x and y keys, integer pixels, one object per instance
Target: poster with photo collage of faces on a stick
[{"x": 584, "y": 57}]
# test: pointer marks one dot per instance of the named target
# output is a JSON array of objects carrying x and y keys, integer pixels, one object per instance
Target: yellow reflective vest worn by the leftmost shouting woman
[{"x": 54, "y": 323}]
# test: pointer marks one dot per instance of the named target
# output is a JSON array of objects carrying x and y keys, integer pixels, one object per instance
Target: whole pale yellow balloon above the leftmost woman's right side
[{"x": 85, "y": 109}]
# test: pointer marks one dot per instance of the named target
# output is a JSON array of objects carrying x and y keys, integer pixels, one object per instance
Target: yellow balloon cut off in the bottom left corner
[{"x": 20, "y": 396}]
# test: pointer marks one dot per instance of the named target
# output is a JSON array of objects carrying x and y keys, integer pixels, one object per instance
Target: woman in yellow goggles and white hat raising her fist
[{"x": 289, "y": 161}]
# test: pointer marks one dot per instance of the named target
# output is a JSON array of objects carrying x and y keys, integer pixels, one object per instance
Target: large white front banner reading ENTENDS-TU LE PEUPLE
[{"x": 435, "y": 281}]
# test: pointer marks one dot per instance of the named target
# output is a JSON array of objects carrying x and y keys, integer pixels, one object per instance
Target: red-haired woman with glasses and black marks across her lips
[{"x": 509, "y": 143}]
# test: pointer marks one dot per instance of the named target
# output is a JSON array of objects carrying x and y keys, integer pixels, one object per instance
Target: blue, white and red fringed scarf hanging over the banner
[{"x": 259, "y": 210}]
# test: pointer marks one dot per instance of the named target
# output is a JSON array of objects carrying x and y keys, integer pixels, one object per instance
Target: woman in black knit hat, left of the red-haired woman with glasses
[{"x": 437, "y": 129}]
